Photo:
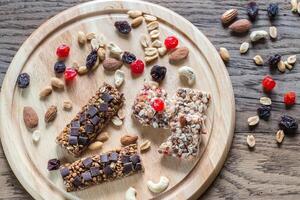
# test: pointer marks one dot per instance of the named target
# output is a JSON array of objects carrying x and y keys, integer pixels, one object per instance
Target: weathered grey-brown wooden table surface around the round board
[{"x": 269, "y": 171}]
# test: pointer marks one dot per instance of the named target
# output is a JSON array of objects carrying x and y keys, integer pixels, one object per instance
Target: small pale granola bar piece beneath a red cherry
[{"x": 143, "y": 110}]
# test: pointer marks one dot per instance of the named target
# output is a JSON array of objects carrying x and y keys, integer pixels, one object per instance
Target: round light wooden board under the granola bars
[{"x": 188, "y": 179}]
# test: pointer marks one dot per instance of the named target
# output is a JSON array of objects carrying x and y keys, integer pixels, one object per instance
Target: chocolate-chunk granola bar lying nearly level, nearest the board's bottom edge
[{"x": 101, "y": 168}]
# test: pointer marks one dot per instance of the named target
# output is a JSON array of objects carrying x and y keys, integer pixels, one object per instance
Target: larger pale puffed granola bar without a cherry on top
[{"x": 187, "y": 123}]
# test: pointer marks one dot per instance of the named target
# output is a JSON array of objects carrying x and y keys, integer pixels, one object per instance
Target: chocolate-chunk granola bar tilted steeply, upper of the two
[{"x": 92, "y": 118}]
